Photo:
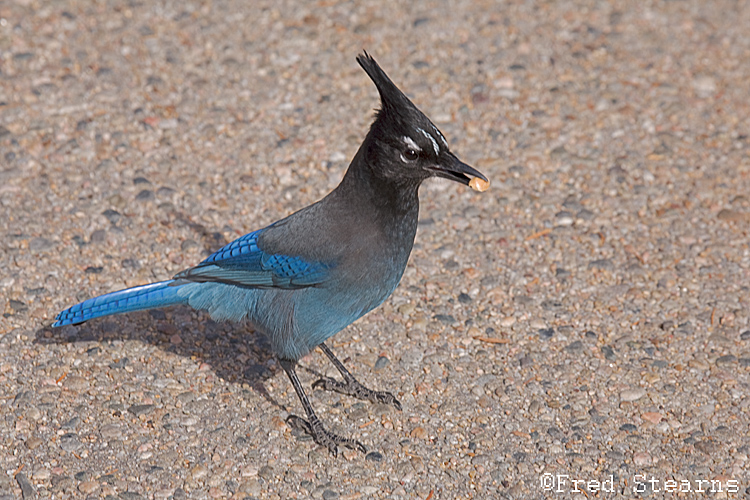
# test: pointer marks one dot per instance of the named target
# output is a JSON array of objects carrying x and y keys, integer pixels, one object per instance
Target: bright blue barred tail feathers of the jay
[{"x": 137, "y": 298}]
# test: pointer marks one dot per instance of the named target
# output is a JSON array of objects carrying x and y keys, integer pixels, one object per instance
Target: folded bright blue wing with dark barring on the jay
[{"x": 243, "y": 263}]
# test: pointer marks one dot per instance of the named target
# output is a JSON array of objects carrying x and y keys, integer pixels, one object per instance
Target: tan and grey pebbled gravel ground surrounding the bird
[{"x": 587, "y": 317}]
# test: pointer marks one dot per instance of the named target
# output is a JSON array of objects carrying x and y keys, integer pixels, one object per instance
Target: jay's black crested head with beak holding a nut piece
[{"x": 405, "y": 144}]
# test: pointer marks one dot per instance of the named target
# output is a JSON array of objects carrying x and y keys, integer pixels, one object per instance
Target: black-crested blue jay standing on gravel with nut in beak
[{"x": 306, "y": 277}]
